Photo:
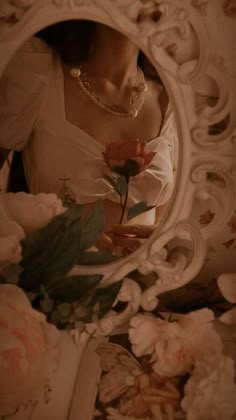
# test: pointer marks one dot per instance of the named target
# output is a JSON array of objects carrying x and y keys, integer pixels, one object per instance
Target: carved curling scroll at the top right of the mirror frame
[{"x": 180, "y": 24}]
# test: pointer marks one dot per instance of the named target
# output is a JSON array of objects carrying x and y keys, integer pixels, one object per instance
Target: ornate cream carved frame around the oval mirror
[{"x": 178, "y": 36}]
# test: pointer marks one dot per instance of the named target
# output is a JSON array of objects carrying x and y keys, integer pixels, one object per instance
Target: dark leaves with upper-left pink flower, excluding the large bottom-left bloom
[{"x": 41, "y": 260}]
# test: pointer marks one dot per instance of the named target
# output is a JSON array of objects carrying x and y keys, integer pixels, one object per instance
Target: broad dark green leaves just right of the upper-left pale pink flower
[{"x": 52, "y": 251}]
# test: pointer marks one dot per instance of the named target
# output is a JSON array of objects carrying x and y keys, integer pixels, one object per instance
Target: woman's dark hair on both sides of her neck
[{"x": 72, "y": 40}]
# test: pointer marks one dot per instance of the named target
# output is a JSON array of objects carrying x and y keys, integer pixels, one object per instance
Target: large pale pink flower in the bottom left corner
[{"x": 28, "y": 349}]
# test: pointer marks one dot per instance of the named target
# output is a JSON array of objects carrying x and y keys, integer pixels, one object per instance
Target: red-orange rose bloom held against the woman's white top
[{"x": 129, "y": 158}]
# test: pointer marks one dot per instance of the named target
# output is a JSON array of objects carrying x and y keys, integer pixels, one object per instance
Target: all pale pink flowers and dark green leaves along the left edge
[{"x": 40, "y": 242}]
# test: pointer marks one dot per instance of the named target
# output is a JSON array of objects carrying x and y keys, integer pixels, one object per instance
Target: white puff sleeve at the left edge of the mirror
[{"x": 22, "y": 91}]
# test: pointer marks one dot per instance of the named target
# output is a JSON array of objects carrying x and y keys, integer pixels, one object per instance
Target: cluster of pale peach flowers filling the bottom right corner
[{"x": 176, "y": 369}]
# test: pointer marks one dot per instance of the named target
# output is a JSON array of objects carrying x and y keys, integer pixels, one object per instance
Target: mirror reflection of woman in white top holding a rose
[{"x": 88, "y": 118}]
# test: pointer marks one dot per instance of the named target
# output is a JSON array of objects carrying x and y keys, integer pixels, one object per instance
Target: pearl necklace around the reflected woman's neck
[{"x": 134, "y": 103}]
